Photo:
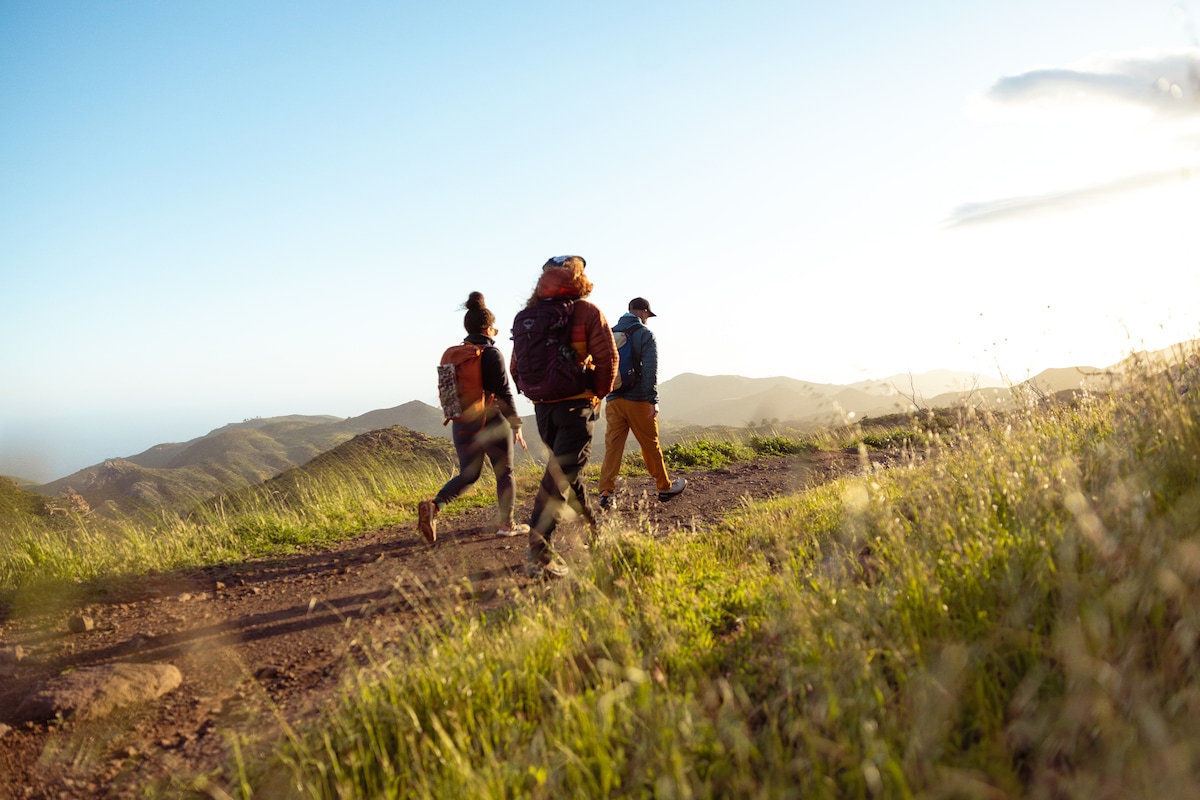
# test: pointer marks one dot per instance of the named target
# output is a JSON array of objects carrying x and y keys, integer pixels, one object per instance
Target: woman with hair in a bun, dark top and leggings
[{"x": 490, "y": 431}]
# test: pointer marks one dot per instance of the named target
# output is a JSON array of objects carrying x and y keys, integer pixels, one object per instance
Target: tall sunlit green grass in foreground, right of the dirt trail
[{"x": 1013, "y": 617}]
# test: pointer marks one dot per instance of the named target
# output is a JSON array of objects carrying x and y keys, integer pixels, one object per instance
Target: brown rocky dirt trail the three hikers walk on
[{"x": 113, "y": 691}]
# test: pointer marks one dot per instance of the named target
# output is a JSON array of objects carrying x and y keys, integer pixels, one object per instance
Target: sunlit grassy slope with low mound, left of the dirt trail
[{"x": 371, "y": 482}]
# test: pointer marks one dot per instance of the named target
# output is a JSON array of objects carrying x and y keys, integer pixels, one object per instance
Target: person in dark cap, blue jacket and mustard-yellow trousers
[{"x": 634, "y": 406}]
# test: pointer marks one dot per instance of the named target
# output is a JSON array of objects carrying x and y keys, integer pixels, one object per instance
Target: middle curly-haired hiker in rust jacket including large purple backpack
[{"x": 566, "y": 392}]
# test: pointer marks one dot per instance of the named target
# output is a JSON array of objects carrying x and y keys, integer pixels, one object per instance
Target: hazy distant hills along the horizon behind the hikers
[{"x": 243, "y": 454}]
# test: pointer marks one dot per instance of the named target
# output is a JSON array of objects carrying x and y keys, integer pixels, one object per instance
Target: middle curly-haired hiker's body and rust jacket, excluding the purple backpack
[{"x": 567, "y": 424}]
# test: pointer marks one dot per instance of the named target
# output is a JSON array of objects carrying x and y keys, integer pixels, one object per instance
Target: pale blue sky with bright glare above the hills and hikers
[{"x": 212, "y": 212}]
